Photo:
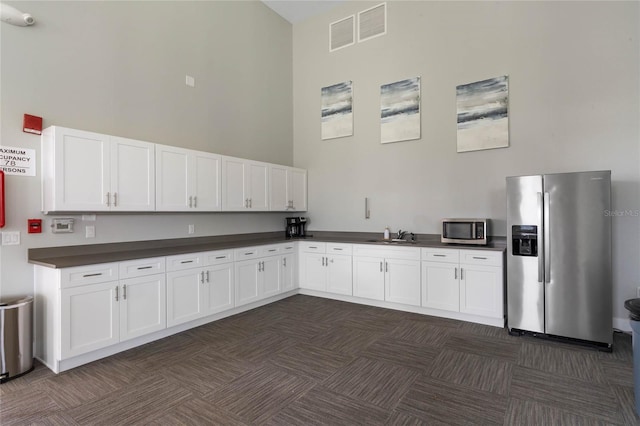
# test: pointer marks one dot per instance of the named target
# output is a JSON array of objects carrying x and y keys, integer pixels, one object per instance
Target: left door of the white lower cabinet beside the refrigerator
[{"x": 440, "y": 286}]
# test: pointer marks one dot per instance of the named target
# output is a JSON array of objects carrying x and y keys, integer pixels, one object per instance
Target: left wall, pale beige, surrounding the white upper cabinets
[{"x": 119, "y": 68}]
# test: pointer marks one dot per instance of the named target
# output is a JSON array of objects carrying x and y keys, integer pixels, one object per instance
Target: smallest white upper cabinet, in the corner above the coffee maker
[{"x": 288, "y": 188}]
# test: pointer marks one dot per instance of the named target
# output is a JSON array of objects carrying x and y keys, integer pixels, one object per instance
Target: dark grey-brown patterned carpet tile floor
[{"x": 307, "y": 360}]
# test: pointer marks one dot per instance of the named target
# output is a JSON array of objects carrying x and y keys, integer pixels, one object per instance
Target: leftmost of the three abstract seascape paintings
[{"x": 337, "y": 111}]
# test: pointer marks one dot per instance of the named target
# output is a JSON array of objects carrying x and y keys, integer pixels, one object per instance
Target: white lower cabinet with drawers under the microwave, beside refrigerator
[{"x": 467, "y": 281}]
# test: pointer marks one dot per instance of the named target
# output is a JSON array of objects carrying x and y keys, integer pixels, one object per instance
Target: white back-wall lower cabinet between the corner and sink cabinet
[{"x": 326, "y": 267}]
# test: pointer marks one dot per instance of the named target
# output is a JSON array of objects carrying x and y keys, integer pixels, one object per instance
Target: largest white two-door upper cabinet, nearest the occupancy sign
[{"x": 84, "y": 171}]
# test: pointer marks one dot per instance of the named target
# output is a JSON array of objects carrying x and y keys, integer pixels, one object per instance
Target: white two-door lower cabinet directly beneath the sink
[{"x": 387, "y": 273}]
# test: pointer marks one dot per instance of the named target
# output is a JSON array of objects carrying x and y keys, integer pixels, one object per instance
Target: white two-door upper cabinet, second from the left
[{"x": 187, "y": 180}]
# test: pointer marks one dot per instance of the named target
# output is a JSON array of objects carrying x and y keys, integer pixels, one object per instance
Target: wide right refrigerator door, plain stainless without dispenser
[{"x": 578, "y": 256}]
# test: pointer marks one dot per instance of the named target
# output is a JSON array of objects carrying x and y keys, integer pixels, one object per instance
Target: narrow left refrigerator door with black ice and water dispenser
[{"x": 525, "y": 289}]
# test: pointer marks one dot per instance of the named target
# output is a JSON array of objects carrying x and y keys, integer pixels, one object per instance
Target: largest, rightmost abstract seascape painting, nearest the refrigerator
[{"x": 483, "y": 114}]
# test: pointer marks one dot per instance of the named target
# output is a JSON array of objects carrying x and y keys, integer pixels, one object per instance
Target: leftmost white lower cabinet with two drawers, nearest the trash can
[{"x": 97, "y": 315}]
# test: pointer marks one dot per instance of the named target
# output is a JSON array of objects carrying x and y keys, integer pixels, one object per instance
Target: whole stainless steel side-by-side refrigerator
[{"x": 559, "y": 256}]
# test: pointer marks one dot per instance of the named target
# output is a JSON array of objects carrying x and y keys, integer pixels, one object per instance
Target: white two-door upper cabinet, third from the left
[{"x": 245, "y": 185}]
